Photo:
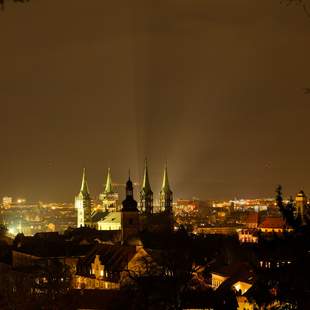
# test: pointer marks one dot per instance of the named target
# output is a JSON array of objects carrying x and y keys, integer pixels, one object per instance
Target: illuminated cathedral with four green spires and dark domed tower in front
[{"x": 132, "y": 217}]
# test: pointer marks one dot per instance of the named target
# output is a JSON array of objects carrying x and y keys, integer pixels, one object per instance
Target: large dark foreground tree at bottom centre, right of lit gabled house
[{"x": 167, "y": 275}]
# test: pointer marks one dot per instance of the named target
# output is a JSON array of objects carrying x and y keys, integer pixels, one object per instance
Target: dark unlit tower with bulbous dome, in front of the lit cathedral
[{"x": 129, "y": 215}]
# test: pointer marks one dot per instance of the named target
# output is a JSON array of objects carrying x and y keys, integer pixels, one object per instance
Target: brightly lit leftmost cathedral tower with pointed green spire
[{"x": 83, "y": 204}]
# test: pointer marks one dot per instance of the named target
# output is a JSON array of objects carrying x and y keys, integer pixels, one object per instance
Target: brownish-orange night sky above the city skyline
[{"x": 213, "y": 87}]
